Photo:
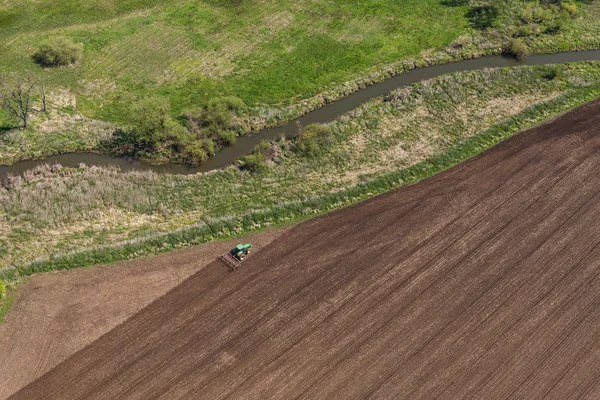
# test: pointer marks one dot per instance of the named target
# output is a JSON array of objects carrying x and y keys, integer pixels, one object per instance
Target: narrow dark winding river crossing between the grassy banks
[{"x": 329, "y": 112}]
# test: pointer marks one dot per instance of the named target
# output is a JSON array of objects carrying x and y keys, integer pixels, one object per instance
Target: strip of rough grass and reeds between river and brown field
[{"x": 74, "y": 217}]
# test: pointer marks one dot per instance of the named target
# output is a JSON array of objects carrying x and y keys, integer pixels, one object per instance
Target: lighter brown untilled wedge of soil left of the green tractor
[{"x": 57, "y": 314}]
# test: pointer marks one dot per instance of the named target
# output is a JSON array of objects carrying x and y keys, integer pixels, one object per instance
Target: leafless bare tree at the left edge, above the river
[{"x": 15, "y": 95}]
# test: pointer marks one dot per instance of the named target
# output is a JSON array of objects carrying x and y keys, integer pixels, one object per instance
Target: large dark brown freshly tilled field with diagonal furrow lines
[{"x": 483, "y": 282}]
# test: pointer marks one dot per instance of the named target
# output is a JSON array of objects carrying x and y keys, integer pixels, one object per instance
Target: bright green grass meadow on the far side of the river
[{"x": 191, "y": 51}]
